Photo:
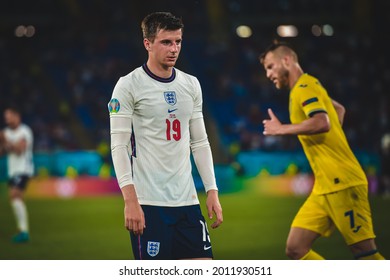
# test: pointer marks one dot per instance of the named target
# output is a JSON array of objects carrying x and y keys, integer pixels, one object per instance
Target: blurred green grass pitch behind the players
[{"x": 255, "y": 228}]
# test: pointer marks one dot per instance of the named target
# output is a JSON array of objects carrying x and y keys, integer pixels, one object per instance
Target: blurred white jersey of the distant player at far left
[{"x": 20, "y": 164}]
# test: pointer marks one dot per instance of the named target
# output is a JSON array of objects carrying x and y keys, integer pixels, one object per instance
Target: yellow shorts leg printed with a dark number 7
[{"x": 351, "y": 214}]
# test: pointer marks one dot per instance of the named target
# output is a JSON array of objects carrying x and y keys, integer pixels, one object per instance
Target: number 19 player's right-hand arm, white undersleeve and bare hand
[{"x": 201, "y": 152}]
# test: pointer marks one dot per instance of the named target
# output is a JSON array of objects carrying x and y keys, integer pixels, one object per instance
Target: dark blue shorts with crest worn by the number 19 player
[{"x": 172, "y": 233}]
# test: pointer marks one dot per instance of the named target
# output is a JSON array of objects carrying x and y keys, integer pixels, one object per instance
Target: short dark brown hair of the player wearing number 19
[{"x": 154, "y": 22}]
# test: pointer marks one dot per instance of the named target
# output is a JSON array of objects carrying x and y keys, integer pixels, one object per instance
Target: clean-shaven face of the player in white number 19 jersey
[{"x": 165, "y": 48}]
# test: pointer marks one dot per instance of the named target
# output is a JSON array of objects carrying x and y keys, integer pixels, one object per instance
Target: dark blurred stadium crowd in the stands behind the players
[{"x": 63, "y": 77}]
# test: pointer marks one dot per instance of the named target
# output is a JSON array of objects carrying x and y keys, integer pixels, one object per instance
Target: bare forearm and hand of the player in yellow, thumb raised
[{"x": 317, "y": 123}]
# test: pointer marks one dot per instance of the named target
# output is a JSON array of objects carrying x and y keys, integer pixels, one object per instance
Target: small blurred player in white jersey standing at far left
[{"x": 16, "y": 140}]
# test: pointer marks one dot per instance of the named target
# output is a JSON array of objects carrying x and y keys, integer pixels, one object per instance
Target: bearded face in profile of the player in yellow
[{"x": 276, "y": 71}]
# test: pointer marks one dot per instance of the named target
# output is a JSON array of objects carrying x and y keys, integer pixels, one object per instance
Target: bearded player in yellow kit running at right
[{"x": 339, "y": 198}]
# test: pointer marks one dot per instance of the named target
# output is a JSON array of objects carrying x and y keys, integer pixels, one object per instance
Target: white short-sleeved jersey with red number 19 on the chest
[{"x": 161, "y": 110}]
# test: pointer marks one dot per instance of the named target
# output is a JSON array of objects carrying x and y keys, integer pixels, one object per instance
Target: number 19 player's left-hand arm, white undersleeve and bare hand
[{"x": 120, "y": 141}]
